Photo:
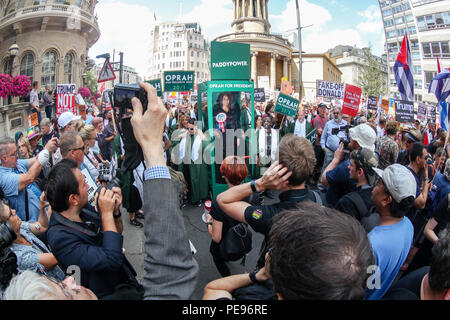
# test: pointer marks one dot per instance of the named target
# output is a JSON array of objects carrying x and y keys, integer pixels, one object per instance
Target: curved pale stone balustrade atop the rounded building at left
[{"x": 48, "y": 9}]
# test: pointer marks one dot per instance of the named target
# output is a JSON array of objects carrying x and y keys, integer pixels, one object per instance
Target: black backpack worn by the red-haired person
[{"x": 236, "y": 243}]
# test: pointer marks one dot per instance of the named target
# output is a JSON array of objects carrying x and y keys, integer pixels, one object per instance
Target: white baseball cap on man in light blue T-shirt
[{"x": 399, "y": 181}]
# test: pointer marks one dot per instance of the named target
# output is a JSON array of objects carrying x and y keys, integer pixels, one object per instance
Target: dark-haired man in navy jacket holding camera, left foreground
[{"x": 92, "y": 241}]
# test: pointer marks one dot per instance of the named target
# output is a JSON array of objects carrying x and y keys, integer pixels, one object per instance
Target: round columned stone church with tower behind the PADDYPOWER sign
[{"x": 271, "y": 54}]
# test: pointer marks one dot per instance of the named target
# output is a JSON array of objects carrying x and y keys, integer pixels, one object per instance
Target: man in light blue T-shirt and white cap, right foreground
[{"x": 391, "y": 240}]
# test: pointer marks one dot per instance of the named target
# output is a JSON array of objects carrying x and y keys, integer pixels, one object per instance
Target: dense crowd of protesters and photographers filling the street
[{"x": 362, "y": 209}]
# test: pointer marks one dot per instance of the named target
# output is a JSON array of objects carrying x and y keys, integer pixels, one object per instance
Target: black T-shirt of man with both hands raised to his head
[{"x": 260, "y": 217}]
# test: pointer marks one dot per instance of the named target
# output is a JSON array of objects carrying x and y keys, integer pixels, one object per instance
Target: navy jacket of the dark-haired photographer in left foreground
[{"x": 98, "y": 254}]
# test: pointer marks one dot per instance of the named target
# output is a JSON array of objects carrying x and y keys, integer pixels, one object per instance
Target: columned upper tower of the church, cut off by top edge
[{"x": 251, "y": 16}]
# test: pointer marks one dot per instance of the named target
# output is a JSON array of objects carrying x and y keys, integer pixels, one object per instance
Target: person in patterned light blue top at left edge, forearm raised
[{"x": 32, "y": 254}]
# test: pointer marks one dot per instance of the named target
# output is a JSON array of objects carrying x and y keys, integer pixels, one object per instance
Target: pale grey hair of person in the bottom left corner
[{"x": 29, "y": 285}]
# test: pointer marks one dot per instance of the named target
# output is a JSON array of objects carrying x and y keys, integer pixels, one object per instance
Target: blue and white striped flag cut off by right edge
[{"x": 440, "y": 86}]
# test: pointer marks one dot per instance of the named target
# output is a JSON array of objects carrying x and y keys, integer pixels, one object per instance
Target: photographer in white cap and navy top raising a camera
[{"x": 336, "y": 176}]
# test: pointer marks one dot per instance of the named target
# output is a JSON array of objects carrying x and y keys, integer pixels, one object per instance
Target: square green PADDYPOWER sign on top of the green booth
[{"x": 230, "y": 61}]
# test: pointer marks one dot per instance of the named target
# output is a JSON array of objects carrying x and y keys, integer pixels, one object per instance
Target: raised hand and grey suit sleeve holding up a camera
[{"x": 171, "y": 270}]
